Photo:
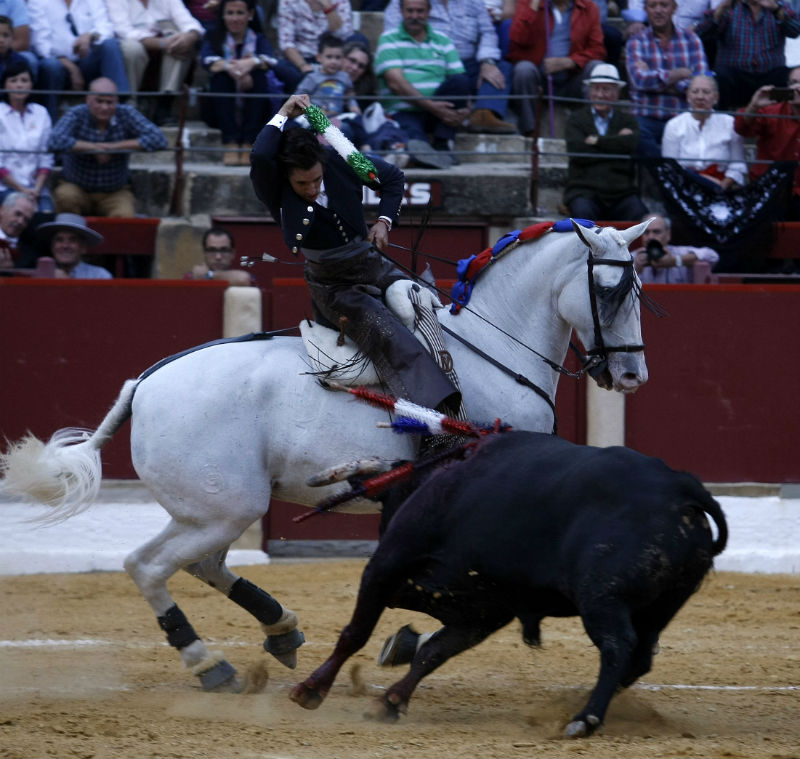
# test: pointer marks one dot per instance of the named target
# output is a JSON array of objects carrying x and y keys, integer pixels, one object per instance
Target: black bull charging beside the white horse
[{"x": 531, "y": 526}]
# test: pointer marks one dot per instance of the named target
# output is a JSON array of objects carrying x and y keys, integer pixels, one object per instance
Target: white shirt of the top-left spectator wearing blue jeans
[{"x": 51, "y": 34}]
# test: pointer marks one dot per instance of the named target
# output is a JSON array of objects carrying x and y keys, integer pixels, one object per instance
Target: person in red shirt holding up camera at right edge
[{"x": 776, "y": 129}]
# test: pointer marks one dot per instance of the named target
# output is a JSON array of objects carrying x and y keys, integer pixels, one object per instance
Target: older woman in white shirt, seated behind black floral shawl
[{"x": 704, "y": 141}]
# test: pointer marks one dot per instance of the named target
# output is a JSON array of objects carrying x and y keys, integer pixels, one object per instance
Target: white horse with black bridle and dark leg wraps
[{"x": 217, "y": 432}]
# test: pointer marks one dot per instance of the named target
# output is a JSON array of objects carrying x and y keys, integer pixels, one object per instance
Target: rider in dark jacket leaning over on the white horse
[{"x": 316, "y": 196}]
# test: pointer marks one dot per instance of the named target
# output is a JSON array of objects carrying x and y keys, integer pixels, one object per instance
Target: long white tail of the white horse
[{"x": 65, "y": 472}]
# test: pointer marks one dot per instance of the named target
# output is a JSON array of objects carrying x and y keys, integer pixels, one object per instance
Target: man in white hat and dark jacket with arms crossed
[{"x": 600, "y": 187}]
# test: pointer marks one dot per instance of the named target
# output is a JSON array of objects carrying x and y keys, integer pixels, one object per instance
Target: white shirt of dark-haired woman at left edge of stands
[{"x": 27, "y": 131}]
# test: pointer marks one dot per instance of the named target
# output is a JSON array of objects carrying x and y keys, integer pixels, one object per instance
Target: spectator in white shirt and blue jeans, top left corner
[{"x": 75, "y": 43}]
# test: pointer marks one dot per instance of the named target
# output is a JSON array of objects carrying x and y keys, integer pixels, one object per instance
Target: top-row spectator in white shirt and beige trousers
[{"x": 163, "y": 30}]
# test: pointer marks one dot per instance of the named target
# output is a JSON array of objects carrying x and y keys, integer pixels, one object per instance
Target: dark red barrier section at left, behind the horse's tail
[{"x": 67, "y": 347}]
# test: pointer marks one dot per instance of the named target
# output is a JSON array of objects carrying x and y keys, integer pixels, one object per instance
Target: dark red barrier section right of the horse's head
[{"x": 722, "y": 398}]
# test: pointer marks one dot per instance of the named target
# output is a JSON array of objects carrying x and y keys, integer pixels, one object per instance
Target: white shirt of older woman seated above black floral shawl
[{"x": 697, "y": 147}]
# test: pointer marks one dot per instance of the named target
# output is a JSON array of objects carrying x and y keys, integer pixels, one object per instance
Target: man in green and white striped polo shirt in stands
[{"x": 420, "y": 64}]
